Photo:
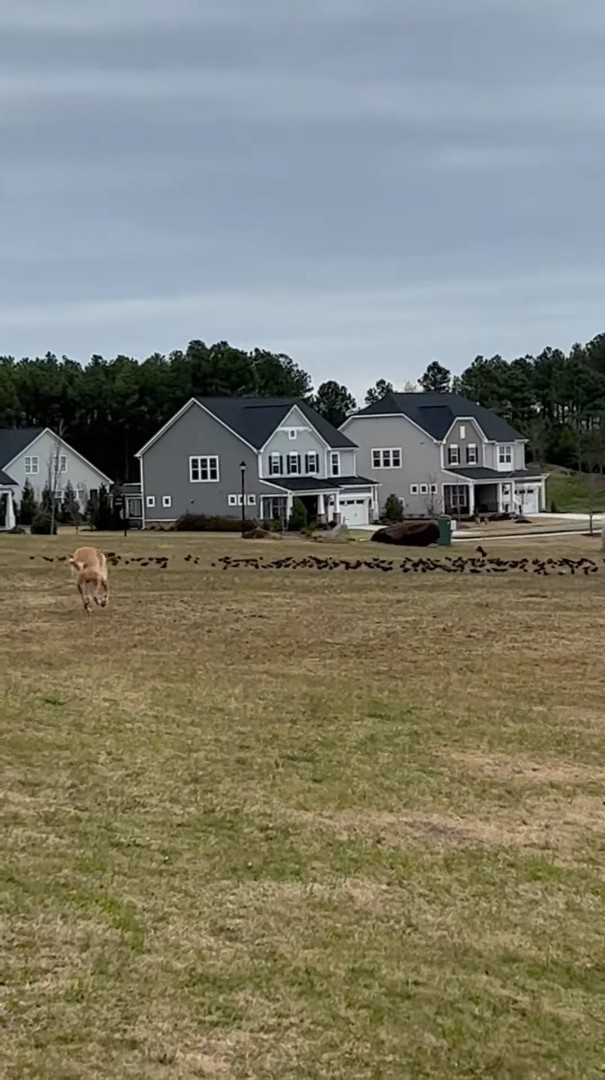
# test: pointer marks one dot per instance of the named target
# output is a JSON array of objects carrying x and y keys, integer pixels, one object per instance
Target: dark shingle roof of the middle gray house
[{"x": 257, "y": 418}]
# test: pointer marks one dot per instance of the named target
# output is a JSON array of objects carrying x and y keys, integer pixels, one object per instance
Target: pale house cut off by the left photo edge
[{"x": 44, "y": 458}]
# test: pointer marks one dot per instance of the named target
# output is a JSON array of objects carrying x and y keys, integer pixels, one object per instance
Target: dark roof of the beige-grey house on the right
[{"x": 436, "y": 414}]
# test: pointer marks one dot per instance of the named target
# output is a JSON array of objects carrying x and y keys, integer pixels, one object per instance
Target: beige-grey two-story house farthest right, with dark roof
[{"x": 443, "y": 453}]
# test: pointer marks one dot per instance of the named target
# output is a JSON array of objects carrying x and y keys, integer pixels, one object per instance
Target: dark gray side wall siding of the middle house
[{"x": 166, "y": 470}]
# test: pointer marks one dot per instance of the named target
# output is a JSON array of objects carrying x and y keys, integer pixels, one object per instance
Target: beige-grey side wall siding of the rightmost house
[{"x": 421, "y": 461}]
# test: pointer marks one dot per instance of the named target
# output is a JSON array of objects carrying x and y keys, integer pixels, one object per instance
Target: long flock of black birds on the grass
[{"x": 481, "y": 563}]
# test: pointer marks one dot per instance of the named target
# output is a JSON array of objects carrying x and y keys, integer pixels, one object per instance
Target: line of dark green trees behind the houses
[{"x": 107, "y": 410}]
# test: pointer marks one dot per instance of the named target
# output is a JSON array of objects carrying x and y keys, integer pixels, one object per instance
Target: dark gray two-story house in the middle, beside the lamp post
[{"x": 218, "y": 455}]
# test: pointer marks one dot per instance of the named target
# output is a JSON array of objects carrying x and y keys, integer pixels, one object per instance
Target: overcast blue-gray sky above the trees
[{"x": 365, "y": 185}]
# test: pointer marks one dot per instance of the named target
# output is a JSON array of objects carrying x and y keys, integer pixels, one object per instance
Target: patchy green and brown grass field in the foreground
[{"x": 301, "y": 825}]
